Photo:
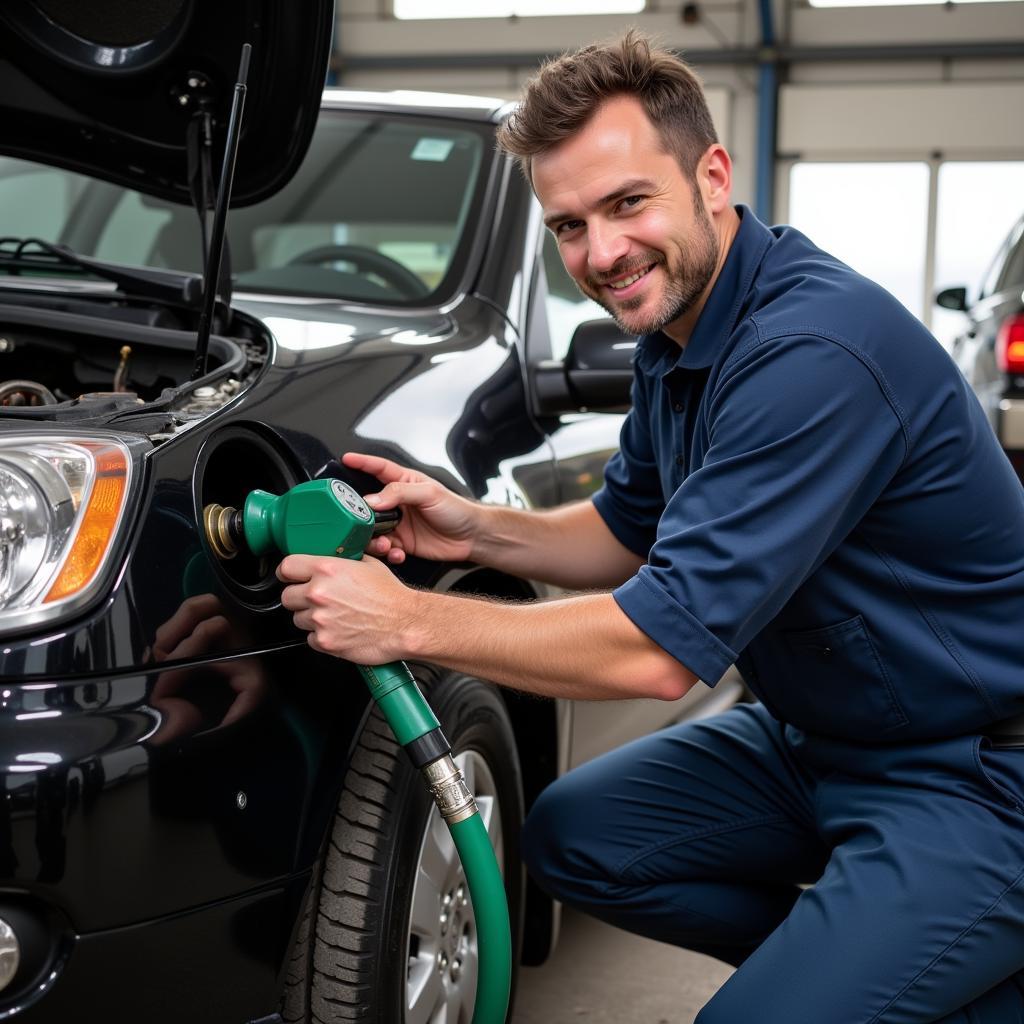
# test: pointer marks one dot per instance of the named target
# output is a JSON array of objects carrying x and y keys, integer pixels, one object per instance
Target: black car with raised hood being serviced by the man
[{"x": 201, "y": 820}]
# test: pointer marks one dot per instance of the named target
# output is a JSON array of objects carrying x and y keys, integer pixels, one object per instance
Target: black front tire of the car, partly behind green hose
[{"x": 357, "y": 952}]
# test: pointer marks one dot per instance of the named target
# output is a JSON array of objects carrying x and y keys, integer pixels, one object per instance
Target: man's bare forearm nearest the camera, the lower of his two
[{"x": 581, "y": 648}]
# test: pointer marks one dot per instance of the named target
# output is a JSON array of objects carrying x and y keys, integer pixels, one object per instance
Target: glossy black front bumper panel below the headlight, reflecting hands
[{"x": 139, "y": 778}]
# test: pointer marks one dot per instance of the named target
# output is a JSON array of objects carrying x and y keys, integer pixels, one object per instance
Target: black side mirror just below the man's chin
[{"x": 596, "y": 376}]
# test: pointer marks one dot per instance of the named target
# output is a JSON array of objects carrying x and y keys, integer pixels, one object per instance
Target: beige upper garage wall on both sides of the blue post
[{"x": 831, "y": 108}]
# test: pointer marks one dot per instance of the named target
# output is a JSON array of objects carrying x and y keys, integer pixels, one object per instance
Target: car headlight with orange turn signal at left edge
[{"x": 61, "y": 504}]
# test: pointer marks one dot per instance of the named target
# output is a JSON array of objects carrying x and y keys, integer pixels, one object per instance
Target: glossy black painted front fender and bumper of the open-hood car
[{"x": 170, "y": 761}]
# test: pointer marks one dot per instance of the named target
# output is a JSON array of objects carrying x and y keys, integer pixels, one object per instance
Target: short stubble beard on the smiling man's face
[{"x": 686, "y": 282}]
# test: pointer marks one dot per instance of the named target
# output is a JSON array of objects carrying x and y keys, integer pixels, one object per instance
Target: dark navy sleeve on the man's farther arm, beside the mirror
[{"x": 631, "y": 500}]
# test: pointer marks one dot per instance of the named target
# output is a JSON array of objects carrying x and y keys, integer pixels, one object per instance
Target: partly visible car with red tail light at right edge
[{"x": 991, "y": 352}]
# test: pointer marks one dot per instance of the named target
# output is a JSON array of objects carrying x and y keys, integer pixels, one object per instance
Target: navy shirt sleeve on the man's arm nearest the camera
[{"x": 803, "y": 440}]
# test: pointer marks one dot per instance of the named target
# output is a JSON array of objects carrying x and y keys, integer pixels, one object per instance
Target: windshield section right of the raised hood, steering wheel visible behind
[{"x": 374, "y": 198}]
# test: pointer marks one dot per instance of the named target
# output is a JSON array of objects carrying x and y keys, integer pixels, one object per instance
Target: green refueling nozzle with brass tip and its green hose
[{"x": 328, "y": 518}]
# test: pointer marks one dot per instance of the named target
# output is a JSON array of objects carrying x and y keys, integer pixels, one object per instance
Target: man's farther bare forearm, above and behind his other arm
[{"x": 569, "y": 547}]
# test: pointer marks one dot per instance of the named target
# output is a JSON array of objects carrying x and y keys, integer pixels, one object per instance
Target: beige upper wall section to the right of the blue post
[{"x": 905, "y": 110}]
